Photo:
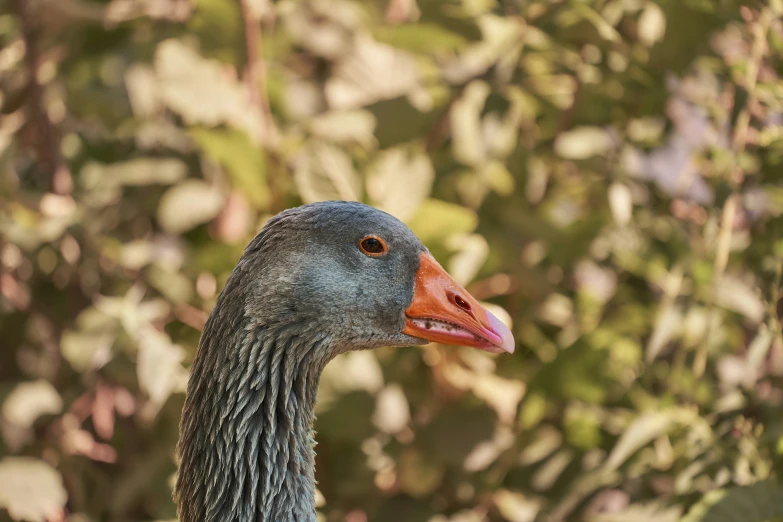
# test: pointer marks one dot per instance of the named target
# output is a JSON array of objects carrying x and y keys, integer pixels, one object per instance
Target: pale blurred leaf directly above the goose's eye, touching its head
[{"x": 399, "y": 181}]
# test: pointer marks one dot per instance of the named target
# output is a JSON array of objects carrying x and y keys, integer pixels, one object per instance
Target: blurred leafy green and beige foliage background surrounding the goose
[{"x": 606, "y": 174}]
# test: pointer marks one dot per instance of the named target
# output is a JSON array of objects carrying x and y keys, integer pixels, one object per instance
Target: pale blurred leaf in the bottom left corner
[{"x": 31, "y": 490}]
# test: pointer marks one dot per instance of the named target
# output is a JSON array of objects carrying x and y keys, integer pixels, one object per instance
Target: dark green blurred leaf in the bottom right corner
[{"x": 760, "y": 502}]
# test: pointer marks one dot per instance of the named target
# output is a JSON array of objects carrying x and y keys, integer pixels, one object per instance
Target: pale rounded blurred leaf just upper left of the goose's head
[{"x": 188, "y": 204}]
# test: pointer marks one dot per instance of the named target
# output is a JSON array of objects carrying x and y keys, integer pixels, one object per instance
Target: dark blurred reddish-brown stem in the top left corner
[{"x": 47, "y": 145}]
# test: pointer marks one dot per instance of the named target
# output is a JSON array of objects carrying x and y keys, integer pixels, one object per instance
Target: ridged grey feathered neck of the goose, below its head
[{"x": 246, "y": 443}]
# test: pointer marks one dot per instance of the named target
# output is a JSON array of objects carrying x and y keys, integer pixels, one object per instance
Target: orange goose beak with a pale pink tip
[{"x": 444, "y": 312}]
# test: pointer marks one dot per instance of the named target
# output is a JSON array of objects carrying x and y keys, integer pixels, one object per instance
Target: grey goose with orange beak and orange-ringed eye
[{"x": 317, "y": 281}]
